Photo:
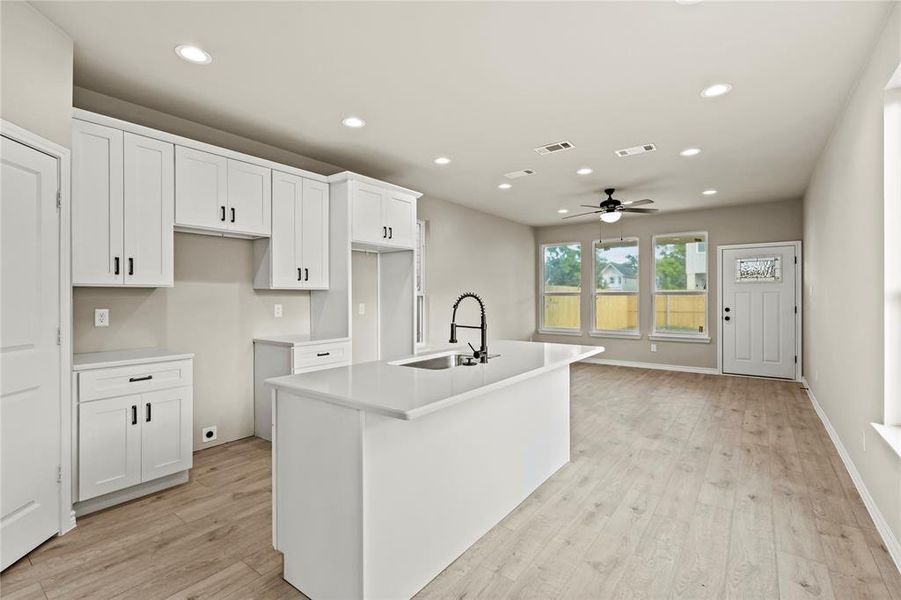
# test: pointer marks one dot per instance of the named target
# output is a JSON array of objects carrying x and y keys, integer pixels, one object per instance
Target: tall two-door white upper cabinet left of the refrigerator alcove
[{"x": 296, "y": 256}]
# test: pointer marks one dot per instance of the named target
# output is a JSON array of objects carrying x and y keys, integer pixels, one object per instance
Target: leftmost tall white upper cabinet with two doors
[{"x": 122, "y": 208}]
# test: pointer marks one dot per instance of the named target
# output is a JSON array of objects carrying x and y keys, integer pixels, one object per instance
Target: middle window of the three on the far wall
[{"x": 616, "y": 287}]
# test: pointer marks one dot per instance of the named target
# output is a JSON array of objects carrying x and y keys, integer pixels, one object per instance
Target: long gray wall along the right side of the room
[{"x": 843, "y": 322}]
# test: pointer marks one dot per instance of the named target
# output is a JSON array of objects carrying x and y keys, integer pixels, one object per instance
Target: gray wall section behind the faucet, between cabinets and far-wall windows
[{"x": 468, "y": 250}]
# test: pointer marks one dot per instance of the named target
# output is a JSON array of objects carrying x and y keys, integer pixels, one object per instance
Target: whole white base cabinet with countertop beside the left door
[{"x": 134, "y": 424}]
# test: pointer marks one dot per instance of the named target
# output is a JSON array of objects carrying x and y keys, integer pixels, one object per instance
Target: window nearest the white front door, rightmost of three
[{"x": 680, "y": 285}]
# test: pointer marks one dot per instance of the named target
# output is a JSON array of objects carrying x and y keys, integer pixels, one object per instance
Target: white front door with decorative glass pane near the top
[{"x": 759, "y": 310}]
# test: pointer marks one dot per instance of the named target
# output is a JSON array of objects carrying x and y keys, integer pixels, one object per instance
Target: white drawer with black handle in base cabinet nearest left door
[{"x": 134, "y": 379}]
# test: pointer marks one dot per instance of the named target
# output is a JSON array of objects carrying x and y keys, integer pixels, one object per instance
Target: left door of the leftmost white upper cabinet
[{"x": 97, "y": 205}]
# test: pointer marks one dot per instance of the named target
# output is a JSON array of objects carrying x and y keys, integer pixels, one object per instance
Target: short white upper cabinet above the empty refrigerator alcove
[{"x": 382, "y": 216}]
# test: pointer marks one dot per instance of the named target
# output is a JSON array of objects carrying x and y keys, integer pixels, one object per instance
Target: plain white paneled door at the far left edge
[{"x": 29, "y": 350}]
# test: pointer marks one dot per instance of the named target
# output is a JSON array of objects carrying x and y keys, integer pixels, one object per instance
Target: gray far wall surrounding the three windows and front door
[{"x": 766, "y": 222}]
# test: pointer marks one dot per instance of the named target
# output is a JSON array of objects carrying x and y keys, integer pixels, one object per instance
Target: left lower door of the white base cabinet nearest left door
[{"x": 109, "y": 445}]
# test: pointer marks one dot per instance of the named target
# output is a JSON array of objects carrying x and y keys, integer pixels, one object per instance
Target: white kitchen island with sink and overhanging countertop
[{"x": 385, "y": 472}]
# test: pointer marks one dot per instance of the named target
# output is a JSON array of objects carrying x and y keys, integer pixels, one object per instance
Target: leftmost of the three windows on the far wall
[{"x": 562, "y": 287}]
